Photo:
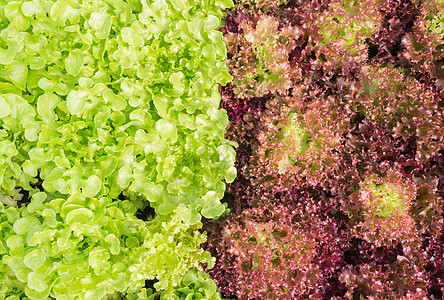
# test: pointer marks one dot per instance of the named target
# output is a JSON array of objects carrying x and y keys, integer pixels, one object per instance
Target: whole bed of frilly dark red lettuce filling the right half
[{"x": 343, "y": 154}]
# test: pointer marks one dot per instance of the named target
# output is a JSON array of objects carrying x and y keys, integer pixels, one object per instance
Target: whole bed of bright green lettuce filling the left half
[{"x": 99, "y": 99}]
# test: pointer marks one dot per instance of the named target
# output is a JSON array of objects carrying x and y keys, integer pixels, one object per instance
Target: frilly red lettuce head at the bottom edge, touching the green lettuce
[{"x": 283, "y": 248}]
